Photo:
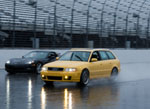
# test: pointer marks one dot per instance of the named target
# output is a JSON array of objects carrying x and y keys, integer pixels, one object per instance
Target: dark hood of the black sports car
[{"x": 21, "y": 60}]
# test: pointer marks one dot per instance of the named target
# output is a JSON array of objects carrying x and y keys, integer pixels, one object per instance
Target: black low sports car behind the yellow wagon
[{"x": 31, "y": 62}]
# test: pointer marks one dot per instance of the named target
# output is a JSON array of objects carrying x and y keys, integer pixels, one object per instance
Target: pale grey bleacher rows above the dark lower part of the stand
[{"x": 45, "y": 11}]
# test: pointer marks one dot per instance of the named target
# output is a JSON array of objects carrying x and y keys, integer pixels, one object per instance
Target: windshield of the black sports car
[{"x": 36, "y": 54}]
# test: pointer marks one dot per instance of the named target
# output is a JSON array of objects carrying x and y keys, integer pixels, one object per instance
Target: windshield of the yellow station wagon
[{"x": 75, "y": 56}]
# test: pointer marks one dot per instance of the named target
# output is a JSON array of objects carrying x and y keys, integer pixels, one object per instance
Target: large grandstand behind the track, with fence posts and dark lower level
[{"x": 74, "y": 23}]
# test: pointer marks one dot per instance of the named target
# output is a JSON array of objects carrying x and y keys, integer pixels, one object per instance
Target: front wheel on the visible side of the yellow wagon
[{"x": 84, "y": 79}]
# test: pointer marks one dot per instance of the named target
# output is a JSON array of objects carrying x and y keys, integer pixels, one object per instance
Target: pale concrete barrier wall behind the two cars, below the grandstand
[{"x": 125, "y": 56}]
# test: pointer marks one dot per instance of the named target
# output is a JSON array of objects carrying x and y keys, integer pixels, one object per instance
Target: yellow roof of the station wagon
[{"x": 88, "y": 49}]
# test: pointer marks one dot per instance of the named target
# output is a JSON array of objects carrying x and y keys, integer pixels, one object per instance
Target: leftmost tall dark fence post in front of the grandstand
[{"x": 14, "y": 24}]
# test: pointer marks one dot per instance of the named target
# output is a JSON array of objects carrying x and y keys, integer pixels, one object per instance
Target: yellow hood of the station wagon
[{"x": 66, "y": 64}]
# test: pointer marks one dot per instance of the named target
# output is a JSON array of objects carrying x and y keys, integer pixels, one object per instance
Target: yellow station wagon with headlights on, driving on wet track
[{"x": 81, "y": 65}]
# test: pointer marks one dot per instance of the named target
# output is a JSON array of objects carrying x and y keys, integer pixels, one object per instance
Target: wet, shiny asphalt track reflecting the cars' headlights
[{"x": 131, "y": 90}]
